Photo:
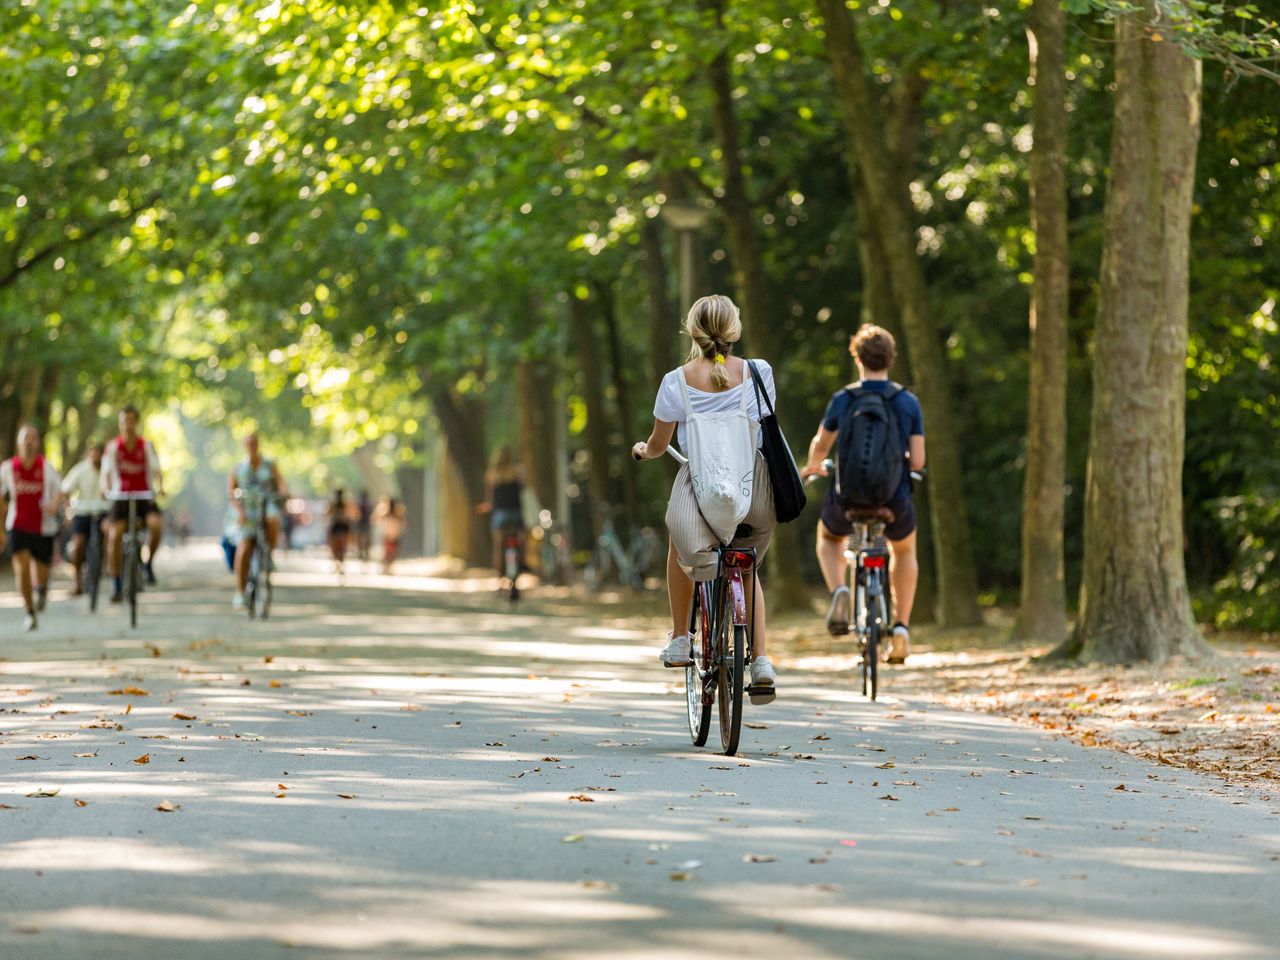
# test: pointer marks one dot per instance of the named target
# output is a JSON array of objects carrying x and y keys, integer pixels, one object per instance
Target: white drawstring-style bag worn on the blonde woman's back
[{"x": 721, "y": 461}]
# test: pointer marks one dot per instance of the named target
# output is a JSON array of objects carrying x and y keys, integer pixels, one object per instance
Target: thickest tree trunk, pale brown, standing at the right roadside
[{"x": 1135, "y": 604}]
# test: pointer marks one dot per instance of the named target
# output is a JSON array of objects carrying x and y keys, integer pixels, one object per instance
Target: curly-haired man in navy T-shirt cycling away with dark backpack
[{"x": 879, "y": 431}]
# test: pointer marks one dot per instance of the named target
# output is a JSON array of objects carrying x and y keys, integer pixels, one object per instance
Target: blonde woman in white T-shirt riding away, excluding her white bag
[{"x": 715, "y": 381}]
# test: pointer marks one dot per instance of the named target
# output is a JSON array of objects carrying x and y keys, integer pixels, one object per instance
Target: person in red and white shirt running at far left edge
[{"x": 30, "y": 496}]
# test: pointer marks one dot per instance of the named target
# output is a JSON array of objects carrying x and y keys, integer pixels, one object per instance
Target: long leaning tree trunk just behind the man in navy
[{"x": 958, "y": 588}]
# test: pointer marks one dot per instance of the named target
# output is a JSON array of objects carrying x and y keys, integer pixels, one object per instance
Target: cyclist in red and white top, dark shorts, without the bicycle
[{"x": 131, "y": 465}]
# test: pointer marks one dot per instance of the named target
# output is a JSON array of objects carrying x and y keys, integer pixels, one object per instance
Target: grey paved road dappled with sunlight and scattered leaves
[{"x": 403, "y": 769}]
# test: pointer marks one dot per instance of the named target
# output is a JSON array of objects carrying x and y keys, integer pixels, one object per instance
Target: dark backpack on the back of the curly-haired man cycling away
[{"x": 870, "y": 460}]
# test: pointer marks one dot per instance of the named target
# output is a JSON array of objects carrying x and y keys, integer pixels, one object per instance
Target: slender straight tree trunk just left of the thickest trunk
[{"x": 1043, "y": 611}]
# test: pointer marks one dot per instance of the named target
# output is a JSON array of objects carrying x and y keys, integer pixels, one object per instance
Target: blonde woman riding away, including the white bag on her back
[{"x": 724, "y": 496}]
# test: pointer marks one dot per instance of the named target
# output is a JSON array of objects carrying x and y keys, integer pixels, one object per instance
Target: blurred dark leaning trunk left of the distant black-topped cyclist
[{"x": 464, "y": 428}]
